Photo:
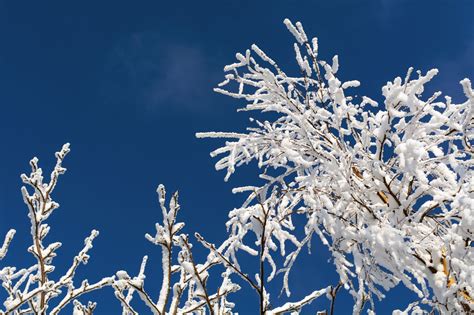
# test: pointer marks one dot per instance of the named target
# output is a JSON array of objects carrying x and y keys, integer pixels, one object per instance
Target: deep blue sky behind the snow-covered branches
[{"x": 129, "y": 84}]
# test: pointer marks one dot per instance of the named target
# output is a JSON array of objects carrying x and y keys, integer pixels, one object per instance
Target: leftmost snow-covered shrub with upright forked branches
[{"x": 30, "y": 290}]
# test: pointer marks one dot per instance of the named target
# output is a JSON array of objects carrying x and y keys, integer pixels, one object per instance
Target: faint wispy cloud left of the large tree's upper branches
[{"x": 155, "y": 72}]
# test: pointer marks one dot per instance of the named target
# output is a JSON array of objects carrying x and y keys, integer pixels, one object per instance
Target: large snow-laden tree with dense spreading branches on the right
[{"x": 387, "y": 186}]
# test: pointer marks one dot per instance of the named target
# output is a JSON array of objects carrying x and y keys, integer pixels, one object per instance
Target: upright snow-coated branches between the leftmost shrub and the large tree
[{"x": 192, "y": 277}]
